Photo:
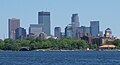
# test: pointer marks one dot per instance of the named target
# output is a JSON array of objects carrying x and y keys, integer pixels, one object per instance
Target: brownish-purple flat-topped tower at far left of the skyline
[{"x": 13, "y": 24}]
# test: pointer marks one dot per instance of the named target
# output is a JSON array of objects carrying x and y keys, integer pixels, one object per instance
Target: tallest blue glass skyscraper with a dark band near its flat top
[{"x": 44, "y": 20}]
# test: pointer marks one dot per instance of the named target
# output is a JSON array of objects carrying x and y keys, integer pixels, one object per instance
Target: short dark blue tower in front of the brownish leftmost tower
[{"x": 20, "y": 33}]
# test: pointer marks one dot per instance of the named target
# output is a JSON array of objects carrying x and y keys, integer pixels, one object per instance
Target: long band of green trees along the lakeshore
[{"x": 51, "y": 44}]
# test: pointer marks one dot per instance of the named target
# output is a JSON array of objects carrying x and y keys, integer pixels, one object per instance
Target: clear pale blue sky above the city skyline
[{"x": 106, "y": 11}]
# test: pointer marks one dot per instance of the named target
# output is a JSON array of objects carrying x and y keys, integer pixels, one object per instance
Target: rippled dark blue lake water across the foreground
[{"x": 60, "y": 58}]
